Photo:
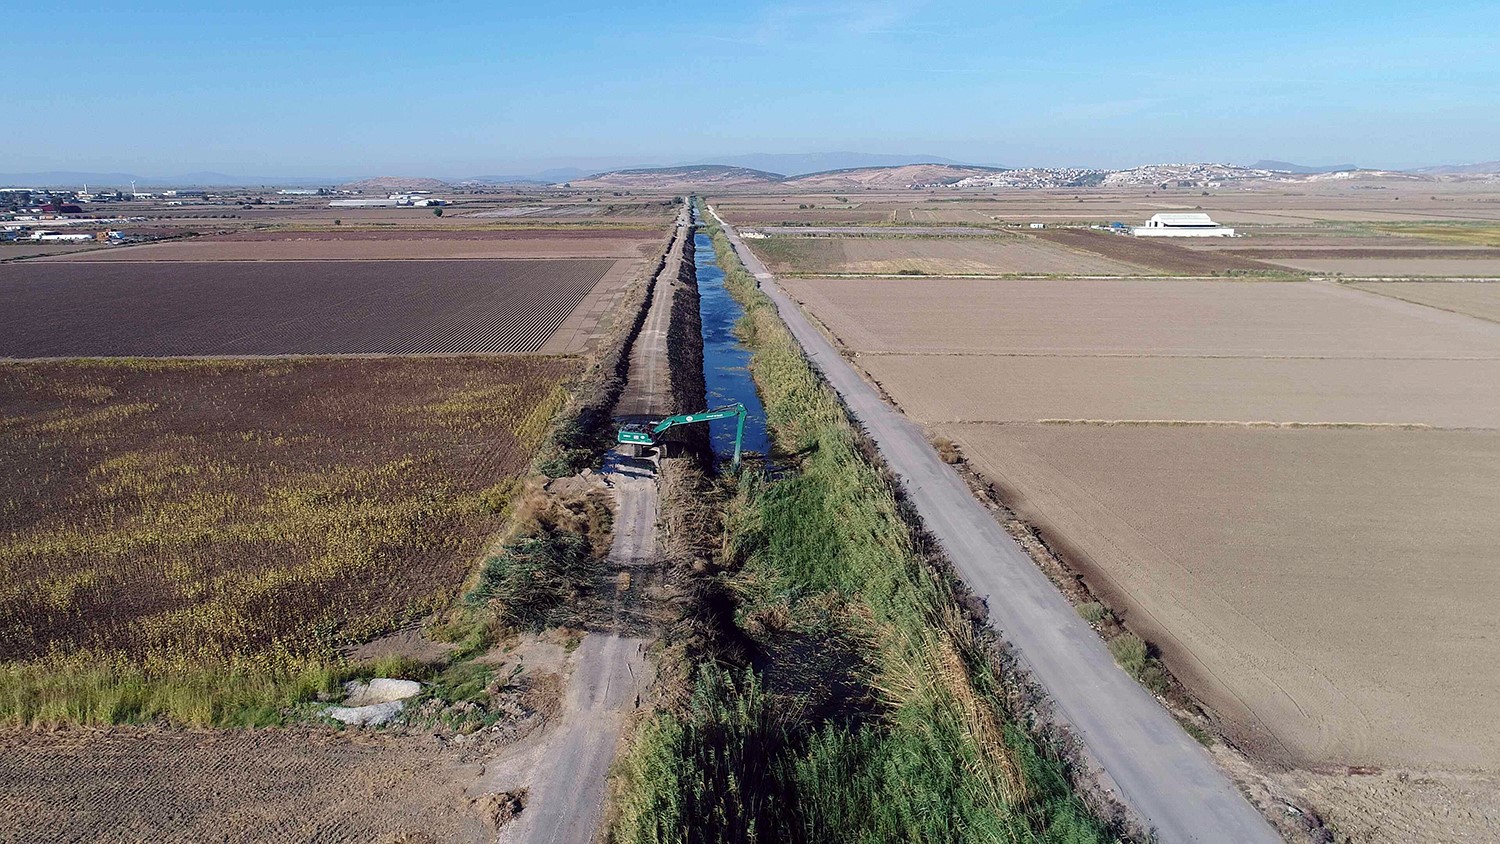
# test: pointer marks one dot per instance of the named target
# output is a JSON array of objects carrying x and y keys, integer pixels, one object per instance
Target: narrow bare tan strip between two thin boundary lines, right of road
[{"x": 1025, "y": 389}]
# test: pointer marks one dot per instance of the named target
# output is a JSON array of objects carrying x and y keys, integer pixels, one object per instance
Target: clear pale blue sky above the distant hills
[{"x": 481, "y": 89}]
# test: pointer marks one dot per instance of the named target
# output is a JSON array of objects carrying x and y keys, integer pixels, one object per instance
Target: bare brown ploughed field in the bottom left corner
[{"x": 136, "y": 786}]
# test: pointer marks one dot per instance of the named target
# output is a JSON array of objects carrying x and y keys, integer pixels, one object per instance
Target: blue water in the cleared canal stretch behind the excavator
[{"x": 727, "y": 362}]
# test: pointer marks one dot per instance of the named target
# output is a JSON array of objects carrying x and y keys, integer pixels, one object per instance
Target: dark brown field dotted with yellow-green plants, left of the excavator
[{"x": 223, "y": 510}]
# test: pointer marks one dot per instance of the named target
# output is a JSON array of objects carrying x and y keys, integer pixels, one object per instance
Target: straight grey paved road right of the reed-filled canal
[{"x": 1148, "y": 761}]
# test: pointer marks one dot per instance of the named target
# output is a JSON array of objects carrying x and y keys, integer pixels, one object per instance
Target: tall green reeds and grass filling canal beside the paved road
[{"x": 824, "y": 548}]
